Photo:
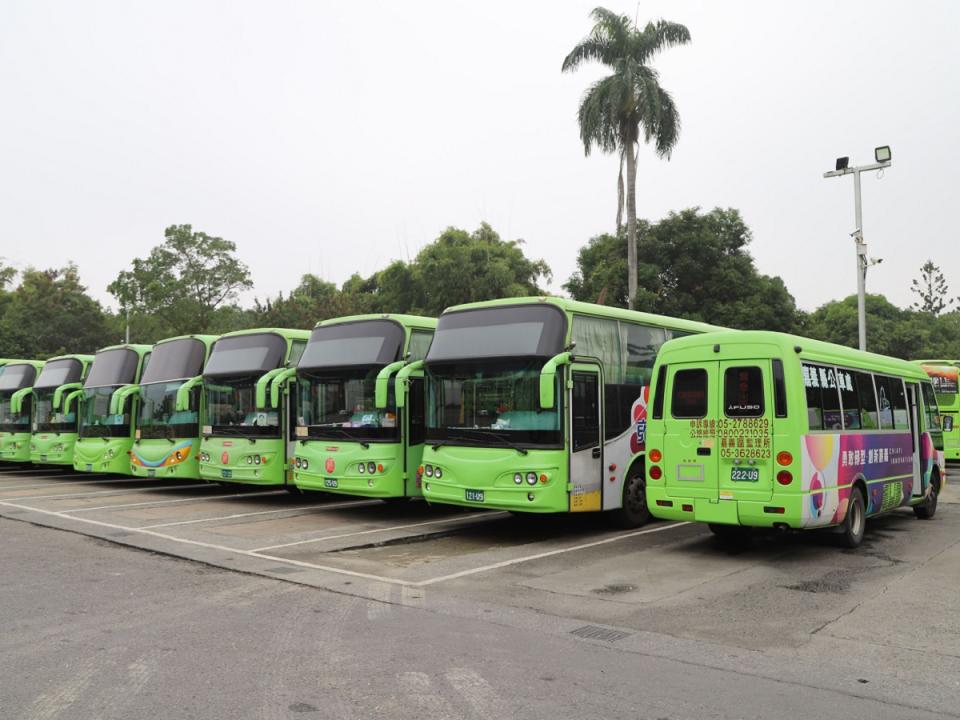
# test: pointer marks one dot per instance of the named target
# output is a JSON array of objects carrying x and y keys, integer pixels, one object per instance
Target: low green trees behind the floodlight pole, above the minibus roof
[{"x": 891, "y": 330}]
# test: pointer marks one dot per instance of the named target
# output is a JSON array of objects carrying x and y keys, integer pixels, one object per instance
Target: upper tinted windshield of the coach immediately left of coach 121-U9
[{"x": 367, "y": 342}]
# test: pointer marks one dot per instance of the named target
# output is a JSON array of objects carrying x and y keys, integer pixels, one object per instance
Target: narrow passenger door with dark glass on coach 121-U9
[{"x": 585, "y": 433}]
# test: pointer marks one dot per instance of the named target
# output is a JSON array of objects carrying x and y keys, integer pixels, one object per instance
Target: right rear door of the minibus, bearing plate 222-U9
[{"x": 745, "y": 430}]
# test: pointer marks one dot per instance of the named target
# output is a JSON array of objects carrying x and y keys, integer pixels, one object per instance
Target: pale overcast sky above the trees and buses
[{"x": 334, "y": 137}]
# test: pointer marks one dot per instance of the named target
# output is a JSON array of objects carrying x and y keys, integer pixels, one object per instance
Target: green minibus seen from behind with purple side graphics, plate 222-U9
[{"x": 763, "y": 429}]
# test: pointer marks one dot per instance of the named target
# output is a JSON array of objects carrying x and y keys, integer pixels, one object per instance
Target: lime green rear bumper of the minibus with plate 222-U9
[{"x": 778, "y": 512}]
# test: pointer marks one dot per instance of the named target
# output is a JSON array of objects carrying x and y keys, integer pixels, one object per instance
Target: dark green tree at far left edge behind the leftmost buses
[{"x": 49, "y": 314}]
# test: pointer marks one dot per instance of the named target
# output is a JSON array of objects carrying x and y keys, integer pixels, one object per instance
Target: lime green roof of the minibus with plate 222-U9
[{"x": 737, "y": 344}]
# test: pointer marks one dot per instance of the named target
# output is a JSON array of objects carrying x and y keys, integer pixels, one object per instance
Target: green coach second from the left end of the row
[{"x": 56, "y": 423}]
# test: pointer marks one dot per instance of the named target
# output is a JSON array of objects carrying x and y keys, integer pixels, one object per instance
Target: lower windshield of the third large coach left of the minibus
[{"x": 232, "y": 409}]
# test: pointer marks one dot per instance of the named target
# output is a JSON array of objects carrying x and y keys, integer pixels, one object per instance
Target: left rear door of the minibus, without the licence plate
[{"x": 691, "y": 402}]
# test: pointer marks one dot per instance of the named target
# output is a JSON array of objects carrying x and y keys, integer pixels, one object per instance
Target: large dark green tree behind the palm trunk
[{"x": 692, "y": 265}]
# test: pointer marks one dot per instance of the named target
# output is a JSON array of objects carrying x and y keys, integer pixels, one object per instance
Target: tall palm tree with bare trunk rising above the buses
[{"x": 615, "y": 110}]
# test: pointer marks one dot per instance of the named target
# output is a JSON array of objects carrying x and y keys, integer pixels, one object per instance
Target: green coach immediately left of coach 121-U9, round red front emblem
[{"x": 352, "y": 437}]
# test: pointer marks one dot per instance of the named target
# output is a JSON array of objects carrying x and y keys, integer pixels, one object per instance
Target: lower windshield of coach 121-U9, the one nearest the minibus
[{"x": 489, "y": 402}]
